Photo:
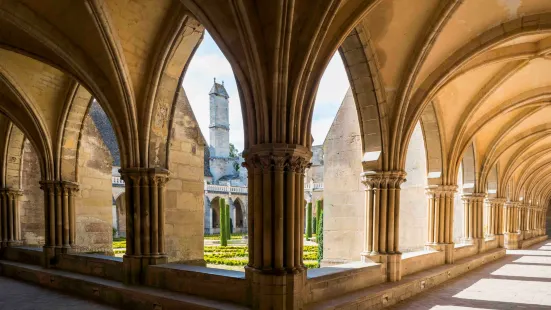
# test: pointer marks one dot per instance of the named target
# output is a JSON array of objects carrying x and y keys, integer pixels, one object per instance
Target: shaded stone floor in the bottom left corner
[{"x": 15, "y": 295}]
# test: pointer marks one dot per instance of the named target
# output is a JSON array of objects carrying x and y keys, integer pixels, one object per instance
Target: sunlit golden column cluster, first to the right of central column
[{"x": 382, "y": 213}]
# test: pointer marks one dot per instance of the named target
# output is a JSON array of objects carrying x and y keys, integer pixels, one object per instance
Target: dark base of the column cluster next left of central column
[{"x": 134, "y": 267}]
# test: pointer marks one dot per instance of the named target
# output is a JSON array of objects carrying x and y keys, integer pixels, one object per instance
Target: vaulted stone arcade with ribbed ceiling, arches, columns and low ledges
[{"x": 474, "y": 74}]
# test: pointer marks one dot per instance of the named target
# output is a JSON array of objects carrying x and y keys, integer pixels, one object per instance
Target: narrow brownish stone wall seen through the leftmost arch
[{"x": 32, "y": 200}]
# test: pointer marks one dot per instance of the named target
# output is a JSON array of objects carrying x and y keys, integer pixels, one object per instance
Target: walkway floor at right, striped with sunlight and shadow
[{"x": 521, "y": 280}]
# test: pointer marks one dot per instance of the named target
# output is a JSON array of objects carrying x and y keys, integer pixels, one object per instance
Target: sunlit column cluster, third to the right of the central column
[{"x": 473, "y": 229}]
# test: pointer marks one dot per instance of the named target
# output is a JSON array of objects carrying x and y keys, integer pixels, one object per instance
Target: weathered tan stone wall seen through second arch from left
[{"x": 93, "y": 203}]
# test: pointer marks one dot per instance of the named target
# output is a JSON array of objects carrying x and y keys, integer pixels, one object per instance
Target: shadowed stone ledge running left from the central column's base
[{"x": 218, "y": 284}]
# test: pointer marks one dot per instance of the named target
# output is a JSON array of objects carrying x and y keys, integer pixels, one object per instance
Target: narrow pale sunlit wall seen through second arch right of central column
[{"x": 413, "y": 201}]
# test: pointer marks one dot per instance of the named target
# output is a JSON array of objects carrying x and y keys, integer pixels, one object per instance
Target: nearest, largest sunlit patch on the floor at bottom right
[{"x": 509, "y": 291}]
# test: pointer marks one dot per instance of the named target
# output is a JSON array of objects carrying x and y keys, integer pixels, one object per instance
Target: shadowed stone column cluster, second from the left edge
[{"x": 59, "y": 216}]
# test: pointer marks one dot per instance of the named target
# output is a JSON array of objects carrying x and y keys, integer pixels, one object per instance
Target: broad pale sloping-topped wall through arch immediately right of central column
[{"x": 343, "y": 191}]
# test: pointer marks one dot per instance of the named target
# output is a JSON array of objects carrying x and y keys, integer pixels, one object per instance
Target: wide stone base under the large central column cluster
[{"x": 275, "y": 290}]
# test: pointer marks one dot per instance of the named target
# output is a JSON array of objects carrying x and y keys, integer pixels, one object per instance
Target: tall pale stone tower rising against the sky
[{"x": 219, "y": 121}]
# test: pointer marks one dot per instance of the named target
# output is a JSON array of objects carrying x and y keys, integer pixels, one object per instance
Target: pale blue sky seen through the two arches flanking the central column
[{"x": 209, "y": 63}]
